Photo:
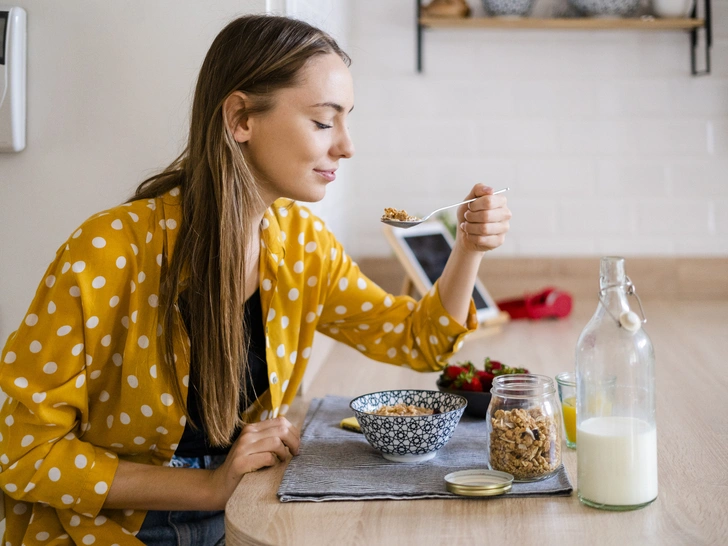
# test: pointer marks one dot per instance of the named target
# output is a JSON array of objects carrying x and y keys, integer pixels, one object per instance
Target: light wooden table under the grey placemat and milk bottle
[{"x": 691, "y": 343}]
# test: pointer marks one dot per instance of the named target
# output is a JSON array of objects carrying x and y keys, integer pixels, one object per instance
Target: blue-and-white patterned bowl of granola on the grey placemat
[{"x": 409, "y": 439}]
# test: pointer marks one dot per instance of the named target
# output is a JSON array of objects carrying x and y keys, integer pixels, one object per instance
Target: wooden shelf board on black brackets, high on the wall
[{"x": 580, "y": 23}]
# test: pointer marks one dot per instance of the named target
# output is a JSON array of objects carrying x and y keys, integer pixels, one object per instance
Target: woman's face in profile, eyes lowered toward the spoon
[{"x": 295, "y": 147}]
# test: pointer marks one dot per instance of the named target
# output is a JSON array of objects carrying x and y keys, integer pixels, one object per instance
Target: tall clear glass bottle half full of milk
[{"x": 615, "y": 400}]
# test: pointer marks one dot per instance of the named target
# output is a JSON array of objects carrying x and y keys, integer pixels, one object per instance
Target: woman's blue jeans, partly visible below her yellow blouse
[{"x": 185, "y": 528}]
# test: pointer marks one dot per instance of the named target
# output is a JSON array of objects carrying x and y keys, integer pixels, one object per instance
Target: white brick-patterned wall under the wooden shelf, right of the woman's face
[{"x": 607, "y": 142}]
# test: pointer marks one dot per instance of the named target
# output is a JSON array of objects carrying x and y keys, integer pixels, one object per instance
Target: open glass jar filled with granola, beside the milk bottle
[{"x": 524, "y": 427}]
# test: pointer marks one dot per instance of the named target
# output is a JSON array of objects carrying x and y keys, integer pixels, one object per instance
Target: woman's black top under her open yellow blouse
[{"x": 194, "y": 441}]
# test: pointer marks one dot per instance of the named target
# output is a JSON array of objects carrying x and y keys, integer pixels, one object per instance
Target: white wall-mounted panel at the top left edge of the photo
[{"x": 12, "y": 78}]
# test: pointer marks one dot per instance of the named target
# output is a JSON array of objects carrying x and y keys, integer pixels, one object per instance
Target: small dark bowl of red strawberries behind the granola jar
[{"x": 468, "y": 381}]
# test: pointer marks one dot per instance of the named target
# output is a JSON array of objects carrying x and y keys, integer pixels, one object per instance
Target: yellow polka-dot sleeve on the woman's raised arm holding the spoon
[{"x": 388, "y": 328}]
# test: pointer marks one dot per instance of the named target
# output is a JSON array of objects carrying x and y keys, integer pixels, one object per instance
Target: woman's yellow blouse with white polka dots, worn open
[{"x": 82, "y": 371}]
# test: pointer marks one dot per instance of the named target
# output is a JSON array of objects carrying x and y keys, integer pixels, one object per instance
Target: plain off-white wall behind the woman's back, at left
[{"x": 109, "y": 91}]
